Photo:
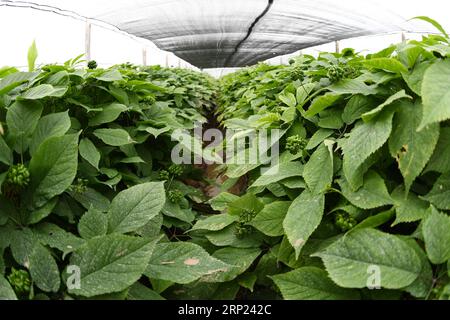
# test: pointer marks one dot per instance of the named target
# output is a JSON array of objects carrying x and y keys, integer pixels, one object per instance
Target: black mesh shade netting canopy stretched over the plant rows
[{"x": 234, "y": 33}]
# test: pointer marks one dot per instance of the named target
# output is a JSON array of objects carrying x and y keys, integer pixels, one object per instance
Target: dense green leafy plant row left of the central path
[{"x": 85, "y": 170}]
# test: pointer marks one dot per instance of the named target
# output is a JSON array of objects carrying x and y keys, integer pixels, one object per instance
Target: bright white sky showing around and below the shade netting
[{"x": 60, "y": 38}]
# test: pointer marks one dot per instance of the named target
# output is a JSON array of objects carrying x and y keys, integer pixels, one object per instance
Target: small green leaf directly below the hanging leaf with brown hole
[{"x": 408, "y": 208}]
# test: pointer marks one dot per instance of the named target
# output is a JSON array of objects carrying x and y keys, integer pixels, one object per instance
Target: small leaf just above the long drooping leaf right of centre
[{"x": 318, "y": 172}]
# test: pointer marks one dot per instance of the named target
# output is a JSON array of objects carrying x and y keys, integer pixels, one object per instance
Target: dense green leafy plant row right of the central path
[{"x": 362, "y": 190}]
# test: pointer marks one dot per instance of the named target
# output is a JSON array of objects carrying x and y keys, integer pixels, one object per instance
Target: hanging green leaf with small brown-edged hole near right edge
[{"x": 410, "y": 148}]
